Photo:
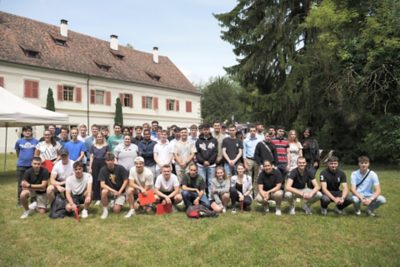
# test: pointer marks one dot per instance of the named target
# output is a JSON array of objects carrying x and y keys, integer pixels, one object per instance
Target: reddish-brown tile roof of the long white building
[{"x": 84, "y": 54}]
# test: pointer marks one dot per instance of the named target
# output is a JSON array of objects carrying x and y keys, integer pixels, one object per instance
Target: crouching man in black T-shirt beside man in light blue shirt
[{"x": 331, "y": 179}]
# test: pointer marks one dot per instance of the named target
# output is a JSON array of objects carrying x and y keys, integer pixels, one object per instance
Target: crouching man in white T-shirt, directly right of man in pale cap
[{"x": 167, "y": 187}]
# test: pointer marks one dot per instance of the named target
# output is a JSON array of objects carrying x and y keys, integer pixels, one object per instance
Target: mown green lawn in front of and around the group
[{"x": 244, "y": 239}]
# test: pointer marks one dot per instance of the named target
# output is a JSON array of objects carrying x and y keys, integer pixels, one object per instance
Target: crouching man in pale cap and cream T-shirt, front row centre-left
[{"x": 141, "y": 180}]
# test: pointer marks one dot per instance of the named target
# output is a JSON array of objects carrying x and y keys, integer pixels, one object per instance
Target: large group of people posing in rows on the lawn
[{"x": 218, "y": 168}]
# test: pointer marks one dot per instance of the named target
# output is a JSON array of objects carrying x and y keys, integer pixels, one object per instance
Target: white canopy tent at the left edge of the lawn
[{"x": 16, "y": 112}]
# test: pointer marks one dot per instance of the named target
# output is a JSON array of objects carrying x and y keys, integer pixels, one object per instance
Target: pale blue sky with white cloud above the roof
[{"x": 183, "y": 30}]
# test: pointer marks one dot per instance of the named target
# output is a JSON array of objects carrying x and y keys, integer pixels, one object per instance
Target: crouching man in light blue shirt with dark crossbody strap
[{"x": 363, "y": 182}]
